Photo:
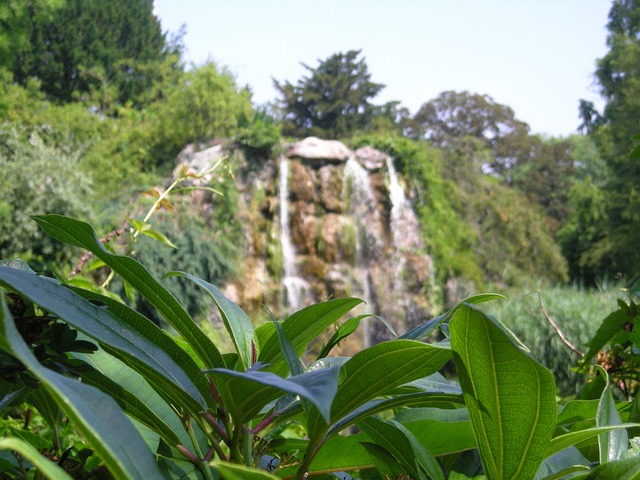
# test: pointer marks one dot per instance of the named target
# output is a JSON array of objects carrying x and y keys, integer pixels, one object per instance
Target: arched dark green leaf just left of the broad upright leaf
[{"x": 375, "y": 371}]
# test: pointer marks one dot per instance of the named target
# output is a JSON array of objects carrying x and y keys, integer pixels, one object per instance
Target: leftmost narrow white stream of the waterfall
[{"x": 295, "y": 287}]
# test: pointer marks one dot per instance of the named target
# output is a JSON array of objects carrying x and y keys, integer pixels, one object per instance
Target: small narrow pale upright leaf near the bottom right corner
[{"x": 613, "y": 444}]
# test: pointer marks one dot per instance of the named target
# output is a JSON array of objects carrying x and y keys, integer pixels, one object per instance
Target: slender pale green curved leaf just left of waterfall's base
[{"x": 237, "y": 323}]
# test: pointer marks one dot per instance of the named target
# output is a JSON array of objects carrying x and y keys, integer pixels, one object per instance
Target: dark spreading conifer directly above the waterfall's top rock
[{"x": 333, "y": 101}]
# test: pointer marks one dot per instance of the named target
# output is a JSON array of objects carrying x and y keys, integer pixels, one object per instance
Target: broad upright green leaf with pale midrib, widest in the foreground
[{"x": 510, "y": 396}]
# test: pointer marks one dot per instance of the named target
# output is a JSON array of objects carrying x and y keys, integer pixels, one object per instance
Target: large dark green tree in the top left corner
[{"x": 109, "y": 51}]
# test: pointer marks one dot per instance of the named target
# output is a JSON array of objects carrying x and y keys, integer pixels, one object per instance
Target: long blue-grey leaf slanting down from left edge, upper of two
[{"x": 136, "y": 347}]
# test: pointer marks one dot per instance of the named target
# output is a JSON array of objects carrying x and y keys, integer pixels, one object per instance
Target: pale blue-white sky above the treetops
[{"x": 535, "y": 56}]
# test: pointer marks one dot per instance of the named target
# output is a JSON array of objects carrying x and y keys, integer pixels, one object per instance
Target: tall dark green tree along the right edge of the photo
[{"x": 614, "y": 248}]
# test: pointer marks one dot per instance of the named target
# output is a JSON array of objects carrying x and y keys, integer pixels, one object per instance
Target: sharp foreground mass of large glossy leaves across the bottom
[{"x": 151, "y": 404}]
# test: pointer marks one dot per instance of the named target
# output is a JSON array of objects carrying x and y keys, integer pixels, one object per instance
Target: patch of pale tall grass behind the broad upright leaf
[{"x": 577, "y": 311}]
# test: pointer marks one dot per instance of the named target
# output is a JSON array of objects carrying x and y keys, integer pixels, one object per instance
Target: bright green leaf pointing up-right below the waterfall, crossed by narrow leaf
[{"x": 302, "y": 327}]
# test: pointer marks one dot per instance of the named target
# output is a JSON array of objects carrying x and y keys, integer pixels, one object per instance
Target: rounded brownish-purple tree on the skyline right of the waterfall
[{"x": 480, "y": 135}]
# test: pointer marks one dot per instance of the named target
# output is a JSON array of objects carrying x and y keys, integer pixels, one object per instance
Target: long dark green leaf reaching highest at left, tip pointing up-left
[{"x": 81, "y": 234}]
